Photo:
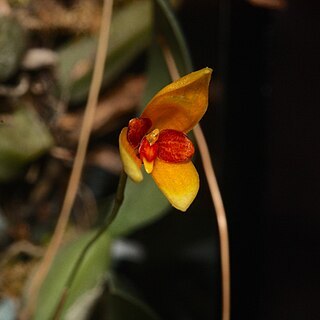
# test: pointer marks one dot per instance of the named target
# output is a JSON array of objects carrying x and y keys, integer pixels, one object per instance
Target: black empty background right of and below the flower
[{"x": 263, "y": 130}]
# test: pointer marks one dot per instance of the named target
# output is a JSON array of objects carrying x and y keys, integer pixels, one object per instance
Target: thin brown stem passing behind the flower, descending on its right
[{"x": 215, "y": 195}]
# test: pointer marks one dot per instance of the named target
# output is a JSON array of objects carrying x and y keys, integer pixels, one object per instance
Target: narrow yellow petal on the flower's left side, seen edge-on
[{"x": 131, "y": 163}]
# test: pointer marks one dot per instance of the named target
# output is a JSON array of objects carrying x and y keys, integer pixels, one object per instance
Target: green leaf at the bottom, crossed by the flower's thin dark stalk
[{"x": 89, "y": 277}]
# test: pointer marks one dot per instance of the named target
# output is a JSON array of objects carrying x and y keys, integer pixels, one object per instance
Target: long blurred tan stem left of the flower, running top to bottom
[{"x": 78, "y": 163}]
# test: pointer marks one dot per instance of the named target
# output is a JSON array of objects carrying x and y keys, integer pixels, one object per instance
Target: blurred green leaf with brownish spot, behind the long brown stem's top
[{"x": 130, "y": 34}]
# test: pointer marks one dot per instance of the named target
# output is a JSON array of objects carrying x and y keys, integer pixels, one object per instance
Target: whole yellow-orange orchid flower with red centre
[{"x": 158, "y": 138}]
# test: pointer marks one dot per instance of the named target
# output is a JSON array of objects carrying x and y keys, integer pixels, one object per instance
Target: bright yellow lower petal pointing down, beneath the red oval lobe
[{"x": 179, "y": 182}]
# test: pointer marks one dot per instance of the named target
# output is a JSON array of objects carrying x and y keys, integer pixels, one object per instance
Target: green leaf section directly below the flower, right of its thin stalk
[{"x": 143, "y": 204}]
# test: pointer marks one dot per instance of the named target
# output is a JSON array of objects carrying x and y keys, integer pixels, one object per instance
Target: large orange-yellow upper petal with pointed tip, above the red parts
[{"x": 181, "y": 104}]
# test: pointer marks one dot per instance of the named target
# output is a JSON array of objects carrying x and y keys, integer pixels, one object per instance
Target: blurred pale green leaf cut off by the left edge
[{"x": 23, "y": 138}]
